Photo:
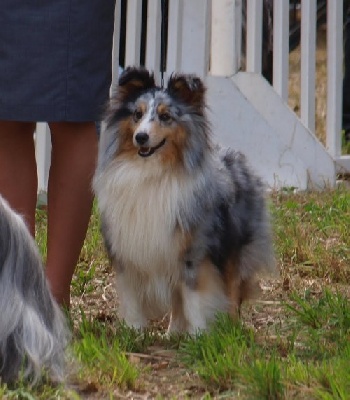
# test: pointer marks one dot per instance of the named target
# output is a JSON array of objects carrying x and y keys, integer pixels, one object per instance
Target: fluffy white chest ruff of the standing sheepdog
[{"x": 140, "y": 212}]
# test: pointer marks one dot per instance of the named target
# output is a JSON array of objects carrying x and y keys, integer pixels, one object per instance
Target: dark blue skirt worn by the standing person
[{"x": 55, "y": 59}]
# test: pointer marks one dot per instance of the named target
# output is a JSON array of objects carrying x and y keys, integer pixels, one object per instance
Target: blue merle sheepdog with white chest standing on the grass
[{"x": 184, "y": 222}]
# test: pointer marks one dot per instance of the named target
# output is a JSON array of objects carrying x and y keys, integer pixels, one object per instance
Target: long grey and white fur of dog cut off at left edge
[{"x": 33, "y": 330}]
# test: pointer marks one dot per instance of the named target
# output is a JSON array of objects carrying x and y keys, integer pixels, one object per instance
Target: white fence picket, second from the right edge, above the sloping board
[{"x": 308, "y": 63}]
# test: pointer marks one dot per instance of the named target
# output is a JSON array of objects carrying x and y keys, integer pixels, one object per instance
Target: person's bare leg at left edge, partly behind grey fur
[{"x": 18, "y": 173}]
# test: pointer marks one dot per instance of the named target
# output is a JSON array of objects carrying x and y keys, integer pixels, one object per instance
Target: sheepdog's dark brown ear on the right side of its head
[{"x": 188, "y": 89}]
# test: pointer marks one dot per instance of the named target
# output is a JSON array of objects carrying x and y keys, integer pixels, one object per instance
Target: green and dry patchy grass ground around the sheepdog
[{"x": 292, "y": 342}]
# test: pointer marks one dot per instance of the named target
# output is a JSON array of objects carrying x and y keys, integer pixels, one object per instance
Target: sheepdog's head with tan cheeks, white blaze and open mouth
[{"x": 169, "y": 124}]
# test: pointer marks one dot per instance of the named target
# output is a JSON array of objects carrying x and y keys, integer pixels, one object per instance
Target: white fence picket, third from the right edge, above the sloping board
[{"x": 281, "y": 47}]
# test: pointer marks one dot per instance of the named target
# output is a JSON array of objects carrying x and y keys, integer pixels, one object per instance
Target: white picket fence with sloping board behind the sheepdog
[{"x": 204, "y": 37}]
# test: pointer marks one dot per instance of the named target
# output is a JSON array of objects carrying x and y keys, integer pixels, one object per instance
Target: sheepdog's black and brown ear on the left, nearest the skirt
[{"x": 133, "y": 81}]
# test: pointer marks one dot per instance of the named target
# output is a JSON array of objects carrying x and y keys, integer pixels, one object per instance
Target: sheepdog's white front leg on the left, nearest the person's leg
[{"x": 130, "y": 308}]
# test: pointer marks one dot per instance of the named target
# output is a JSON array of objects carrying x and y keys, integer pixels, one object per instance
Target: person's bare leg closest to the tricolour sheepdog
[{"x": 73, "y": 160}]
